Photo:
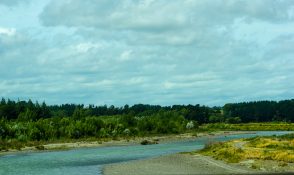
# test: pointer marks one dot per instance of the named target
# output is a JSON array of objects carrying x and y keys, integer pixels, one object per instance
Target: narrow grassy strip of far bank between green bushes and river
[{"x": 13, "y": 146}]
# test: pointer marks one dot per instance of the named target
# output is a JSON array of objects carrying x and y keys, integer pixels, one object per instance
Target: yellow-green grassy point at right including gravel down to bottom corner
[{"x": 270, "y": 153}]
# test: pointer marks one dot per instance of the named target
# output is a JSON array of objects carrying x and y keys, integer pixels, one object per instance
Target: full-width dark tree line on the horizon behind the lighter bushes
[{"x": 256, "y": 111}]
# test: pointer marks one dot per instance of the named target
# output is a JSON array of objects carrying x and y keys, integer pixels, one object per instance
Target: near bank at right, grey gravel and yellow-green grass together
[{"x": 260, "y": 155}]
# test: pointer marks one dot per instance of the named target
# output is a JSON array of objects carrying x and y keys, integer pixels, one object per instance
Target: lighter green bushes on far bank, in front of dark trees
[{"x": 21, "y": 133}]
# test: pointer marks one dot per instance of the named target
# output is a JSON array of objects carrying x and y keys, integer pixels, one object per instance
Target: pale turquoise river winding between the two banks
[{"x": 89, "y": 161}]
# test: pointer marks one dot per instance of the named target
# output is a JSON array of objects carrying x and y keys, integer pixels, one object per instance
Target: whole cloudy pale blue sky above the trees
[{"x": 164, "y": 52}]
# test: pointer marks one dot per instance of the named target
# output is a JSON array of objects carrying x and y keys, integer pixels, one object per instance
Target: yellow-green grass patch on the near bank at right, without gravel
[{"x": 276, "y": 148}]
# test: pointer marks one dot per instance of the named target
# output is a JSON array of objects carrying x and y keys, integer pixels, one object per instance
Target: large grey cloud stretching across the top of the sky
[{"x": 157, "y": 15}]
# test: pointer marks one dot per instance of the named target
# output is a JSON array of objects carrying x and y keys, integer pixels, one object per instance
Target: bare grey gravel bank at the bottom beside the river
[{"x": 175, "y": 164}]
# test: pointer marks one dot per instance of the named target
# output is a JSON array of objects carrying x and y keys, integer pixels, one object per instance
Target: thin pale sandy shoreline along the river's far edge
[{"x": 121, "y": 142}]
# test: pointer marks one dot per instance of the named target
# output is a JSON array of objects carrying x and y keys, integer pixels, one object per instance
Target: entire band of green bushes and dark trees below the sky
[{"x": 25, "y": 121}]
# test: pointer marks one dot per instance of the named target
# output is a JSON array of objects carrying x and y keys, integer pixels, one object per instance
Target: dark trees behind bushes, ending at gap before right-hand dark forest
[{"x": 30, "y": 111}]
